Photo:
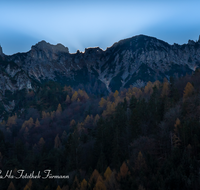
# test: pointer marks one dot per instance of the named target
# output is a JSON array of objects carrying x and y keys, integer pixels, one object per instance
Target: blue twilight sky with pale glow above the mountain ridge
[{"x": 79, "y": 24}]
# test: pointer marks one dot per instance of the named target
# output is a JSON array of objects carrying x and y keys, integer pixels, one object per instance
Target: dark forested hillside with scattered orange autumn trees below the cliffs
[{"x": 138, "y": 138}]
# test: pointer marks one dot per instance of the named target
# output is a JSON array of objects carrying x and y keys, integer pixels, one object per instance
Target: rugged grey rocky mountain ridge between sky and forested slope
[{"x": 132, "y": 61}]
